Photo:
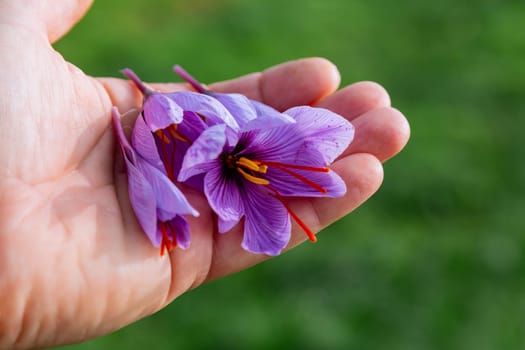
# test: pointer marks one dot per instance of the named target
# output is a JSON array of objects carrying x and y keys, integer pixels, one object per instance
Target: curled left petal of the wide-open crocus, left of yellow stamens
[{"x": 203, "y": 154}]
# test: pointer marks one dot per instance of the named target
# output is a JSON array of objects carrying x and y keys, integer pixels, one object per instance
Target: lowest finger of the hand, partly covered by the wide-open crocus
[{"x": 362, "y": 174}]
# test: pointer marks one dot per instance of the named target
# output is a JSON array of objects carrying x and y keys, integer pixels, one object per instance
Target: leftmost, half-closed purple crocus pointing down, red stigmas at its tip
[{"x": 158, "y": 204}]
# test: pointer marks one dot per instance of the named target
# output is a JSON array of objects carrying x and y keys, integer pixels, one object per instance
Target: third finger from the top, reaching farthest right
[{"x": 382, "y": 132}]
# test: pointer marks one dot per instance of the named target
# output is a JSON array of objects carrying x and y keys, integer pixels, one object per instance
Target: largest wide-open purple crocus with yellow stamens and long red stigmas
[{"x": 251, "y": 174}]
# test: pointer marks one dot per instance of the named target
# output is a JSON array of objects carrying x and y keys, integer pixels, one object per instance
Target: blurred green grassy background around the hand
[{"x": 436, "y": 259}]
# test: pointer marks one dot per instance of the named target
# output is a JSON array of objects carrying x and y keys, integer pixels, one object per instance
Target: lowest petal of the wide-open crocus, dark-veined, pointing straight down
[{"x": 267, "y": 227}]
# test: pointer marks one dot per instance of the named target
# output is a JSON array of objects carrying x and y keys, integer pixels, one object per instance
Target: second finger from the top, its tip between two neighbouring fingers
[{"x": 356, "y": 99}]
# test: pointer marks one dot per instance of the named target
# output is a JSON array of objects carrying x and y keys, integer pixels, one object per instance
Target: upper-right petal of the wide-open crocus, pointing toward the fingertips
[{"x": 323, "y": 130}]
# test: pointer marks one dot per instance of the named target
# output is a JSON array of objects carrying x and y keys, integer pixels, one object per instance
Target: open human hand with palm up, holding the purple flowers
[{"x": 74, "y": 263}]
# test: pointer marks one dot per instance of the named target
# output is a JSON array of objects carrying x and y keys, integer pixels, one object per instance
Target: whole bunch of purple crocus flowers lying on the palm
[{"x": 245, "y": 156}]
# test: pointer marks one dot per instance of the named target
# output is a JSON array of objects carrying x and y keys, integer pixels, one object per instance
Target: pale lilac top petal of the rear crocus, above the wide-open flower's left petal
[{"x": 207, "y": 106}]
